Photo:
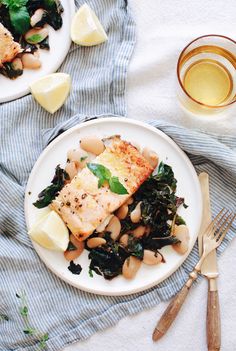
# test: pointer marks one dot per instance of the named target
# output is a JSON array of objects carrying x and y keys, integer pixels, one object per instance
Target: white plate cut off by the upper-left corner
[{"x": 51, "y": 60}]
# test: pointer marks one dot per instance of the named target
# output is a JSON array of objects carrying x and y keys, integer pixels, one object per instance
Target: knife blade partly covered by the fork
[{"x": 209, "y": 266}]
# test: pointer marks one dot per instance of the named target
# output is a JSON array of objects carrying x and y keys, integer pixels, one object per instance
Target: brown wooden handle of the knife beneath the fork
[{"x": 213, "y": 320}]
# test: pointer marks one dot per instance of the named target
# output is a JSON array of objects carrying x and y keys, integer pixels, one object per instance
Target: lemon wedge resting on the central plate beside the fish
[{"x": 50, "y": 232}]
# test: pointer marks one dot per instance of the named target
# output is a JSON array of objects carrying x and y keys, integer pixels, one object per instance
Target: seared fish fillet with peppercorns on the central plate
[{"x": 83, "y": 206}]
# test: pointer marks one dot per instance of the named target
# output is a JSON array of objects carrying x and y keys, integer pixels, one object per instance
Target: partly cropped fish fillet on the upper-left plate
[{"x": 8, "y": 47}]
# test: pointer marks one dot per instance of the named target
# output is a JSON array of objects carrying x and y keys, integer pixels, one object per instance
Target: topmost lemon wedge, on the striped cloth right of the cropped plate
[{"x": 86, "y": 28}]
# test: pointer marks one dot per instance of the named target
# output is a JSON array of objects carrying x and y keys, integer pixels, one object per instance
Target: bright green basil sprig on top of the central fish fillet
[{"x": 103, "y": 175}]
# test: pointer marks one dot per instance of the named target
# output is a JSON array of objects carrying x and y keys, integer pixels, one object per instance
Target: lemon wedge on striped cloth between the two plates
[{"x": 51, "y": 91}]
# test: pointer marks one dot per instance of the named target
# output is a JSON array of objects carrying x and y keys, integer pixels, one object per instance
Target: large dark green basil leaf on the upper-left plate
[{"x": 20, "y": 19}]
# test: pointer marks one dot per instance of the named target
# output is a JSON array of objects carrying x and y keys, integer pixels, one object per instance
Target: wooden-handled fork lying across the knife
[{"x": 212, "y": 238}]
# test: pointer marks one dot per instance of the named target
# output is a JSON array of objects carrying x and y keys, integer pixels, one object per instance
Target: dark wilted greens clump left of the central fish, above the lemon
[{"x": 48, "y": 194}]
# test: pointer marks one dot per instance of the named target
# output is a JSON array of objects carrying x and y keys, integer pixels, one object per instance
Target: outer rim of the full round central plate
[{"x": 101, "y": 120}]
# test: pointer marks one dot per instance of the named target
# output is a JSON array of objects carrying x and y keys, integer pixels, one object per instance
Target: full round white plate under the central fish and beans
[{"x": 145, "y": 135}]
